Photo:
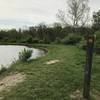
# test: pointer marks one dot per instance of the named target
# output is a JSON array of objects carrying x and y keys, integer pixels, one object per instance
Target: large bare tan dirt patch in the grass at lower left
[{"x": 11, "y": 81}]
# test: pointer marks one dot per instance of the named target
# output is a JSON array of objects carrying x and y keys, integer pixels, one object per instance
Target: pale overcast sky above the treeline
[{"x": 18, "y": 13}]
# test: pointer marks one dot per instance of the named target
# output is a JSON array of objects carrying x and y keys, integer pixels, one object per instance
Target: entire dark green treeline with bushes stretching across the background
[{"x": 56, "y": 34}]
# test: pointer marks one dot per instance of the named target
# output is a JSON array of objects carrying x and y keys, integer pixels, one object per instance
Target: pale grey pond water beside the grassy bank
[{"x": 9, "y": 54}]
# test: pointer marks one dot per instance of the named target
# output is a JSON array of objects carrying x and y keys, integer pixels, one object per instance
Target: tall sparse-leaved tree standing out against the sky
[{"x": 77, "y": 14}]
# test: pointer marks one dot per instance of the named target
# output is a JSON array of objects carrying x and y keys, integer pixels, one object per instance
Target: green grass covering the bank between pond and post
[{"x": 53, "y": 82}]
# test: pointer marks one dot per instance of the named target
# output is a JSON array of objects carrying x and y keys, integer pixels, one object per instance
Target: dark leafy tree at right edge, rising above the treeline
[{"x": 96, "y": 20}]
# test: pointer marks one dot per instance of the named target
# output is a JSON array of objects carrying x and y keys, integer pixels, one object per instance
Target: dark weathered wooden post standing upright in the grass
[{"x": 88, "y": 67}]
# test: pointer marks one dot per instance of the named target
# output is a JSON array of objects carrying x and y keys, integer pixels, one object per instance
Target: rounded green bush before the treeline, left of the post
[{"x": 72, "y": 39}]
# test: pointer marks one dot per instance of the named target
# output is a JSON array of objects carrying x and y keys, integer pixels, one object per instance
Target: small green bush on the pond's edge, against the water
[{"x": 24, "y": 55}]
